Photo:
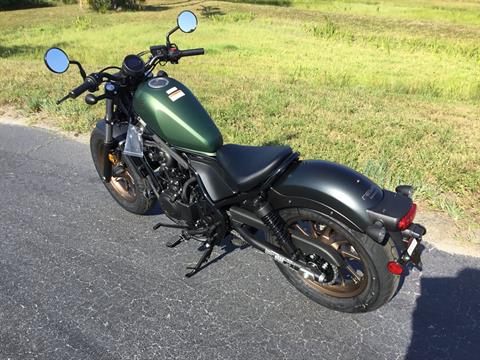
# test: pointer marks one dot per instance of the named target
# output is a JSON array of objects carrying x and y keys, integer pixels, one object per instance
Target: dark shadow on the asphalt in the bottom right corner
[{"x": 446, "y": 320}]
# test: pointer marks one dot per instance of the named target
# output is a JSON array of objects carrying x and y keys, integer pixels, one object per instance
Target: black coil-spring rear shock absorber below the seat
[{"x": 277, "y": 225}]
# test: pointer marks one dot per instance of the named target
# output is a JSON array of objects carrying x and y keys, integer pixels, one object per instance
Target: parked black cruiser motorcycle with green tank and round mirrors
[{"x": 337, "y": 237}]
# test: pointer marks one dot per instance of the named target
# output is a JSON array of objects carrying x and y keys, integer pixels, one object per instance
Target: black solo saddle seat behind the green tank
[{"x": 249, "y": 166}]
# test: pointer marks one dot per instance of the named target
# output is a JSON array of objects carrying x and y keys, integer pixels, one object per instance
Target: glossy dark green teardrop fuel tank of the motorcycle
[{"x": 174, "y": 113}]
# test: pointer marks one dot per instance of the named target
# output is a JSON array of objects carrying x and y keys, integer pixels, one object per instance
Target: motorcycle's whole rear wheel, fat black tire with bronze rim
[{"x": 363, "y": 285}]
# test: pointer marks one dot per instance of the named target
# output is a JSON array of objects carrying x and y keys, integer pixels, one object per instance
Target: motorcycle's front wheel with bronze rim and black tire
[{"x": 129, "y": 189}]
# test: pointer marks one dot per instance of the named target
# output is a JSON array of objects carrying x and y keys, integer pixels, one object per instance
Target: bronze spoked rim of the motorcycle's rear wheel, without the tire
[{"x": 352, "y": 279}]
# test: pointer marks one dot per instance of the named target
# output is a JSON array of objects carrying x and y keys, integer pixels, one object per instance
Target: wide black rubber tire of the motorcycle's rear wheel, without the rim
[{"x": 381, "y": 286}]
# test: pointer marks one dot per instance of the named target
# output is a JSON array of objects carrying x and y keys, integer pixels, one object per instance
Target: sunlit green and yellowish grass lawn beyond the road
[{"x": 390, "y": 88}]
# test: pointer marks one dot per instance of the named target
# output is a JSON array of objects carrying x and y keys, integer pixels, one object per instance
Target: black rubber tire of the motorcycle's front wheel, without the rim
[{"x": 142, "y": 204}]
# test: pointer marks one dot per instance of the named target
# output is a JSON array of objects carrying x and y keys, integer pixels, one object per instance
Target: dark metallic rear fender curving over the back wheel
[{"x": 330, "y": 188}]
